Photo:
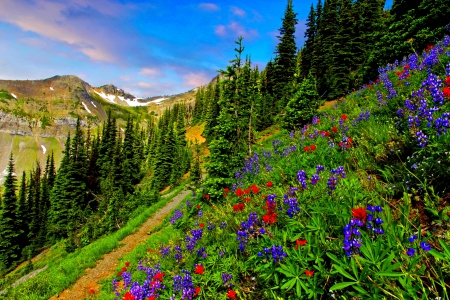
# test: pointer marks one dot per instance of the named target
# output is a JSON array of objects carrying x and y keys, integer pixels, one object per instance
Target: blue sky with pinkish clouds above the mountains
[{"x": 147, "y": 48}]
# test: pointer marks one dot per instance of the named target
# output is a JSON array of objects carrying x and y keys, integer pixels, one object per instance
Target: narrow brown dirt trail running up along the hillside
[{"x": 87, "y": 285}]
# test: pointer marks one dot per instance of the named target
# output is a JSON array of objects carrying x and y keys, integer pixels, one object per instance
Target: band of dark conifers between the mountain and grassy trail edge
[{"x": 95, "y": 190}]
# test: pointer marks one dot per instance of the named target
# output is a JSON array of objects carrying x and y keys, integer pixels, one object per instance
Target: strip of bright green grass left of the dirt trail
[{"x": 63, "y": 272}]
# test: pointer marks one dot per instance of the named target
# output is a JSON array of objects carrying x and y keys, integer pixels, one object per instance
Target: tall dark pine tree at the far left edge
[{"x": 9, "y": 233}]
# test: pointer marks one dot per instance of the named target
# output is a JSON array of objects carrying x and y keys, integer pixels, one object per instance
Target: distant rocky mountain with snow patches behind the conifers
[{"x": 36, "y": 115}]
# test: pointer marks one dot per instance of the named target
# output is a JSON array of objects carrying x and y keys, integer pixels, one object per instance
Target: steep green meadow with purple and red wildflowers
[{"x": 355, "y": 205}]
